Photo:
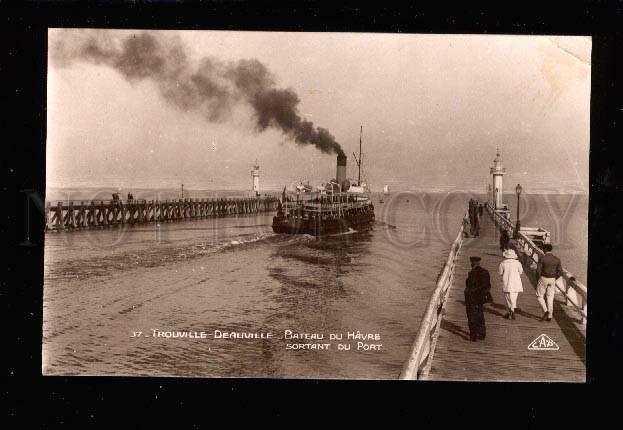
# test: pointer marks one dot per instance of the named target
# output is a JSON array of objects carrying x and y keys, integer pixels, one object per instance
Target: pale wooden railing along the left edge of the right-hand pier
[{"x": 421, "y": 356}]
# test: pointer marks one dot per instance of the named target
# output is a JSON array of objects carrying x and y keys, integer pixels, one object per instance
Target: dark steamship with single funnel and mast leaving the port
[{"x": 337, "y": 207}]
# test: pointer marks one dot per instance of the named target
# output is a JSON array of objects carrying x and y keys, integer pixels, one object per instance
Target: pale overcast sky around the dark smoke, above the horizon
[{"x": 434, "y": 108}]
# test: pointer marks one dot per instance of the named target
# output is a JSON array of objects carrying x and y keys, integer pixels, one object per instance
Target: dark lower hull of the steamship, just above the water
[{"x": 316, "y": 227}]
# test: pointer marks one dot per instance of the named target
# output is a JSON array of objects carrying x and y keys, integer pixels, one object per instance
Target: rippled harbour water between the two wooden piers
[{"x": 235, "y": 274}]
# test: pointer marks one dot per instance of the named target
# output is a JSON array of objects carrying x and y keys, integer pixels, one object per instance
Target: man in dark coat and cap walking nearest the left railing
[{"x": 477, "y": 285}]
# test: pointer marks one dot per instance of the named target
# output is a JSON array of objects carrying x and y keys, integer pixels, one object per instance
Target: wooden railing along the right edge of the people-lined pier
[{"x": 573, "y": 290}]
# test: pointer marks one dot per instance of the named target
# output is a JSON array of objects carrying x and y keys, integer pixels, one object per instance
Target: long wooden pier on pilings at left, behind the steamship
[{"x": 70, "y": 215}]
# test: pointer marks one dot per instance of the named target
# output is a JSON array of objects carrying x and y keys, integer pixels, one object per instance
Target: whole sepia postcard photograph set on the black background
[{"x": 316, "y": 205}]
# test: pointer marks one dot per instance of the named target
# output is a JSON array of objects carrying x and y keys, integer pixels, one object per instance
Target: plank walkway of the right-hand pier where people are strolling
[{"x": 443, "y": 350}]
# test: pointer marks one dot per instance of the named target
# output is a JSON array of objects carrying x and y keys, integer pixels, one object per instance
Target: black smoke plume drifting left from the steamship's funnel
[{"x": 213, "y": 87}]
